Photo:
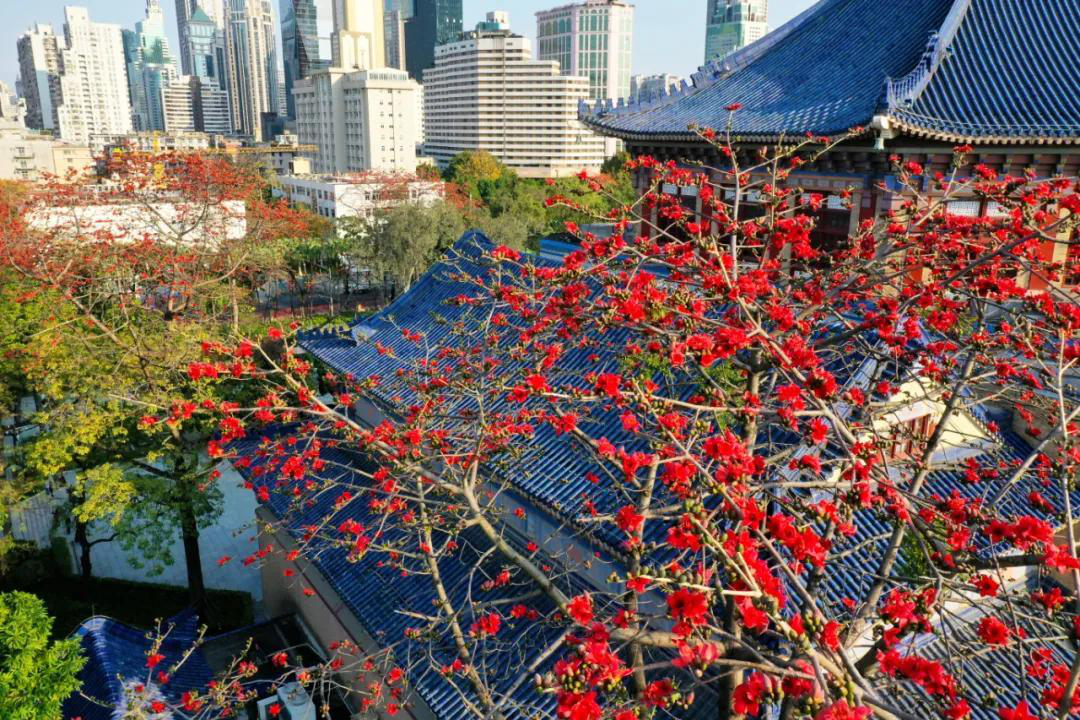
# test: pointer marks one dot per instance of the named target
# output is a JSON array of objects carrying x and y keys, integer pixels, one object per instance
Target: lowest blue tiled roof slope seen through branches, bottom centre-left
[{"x": 380, "y": 596}]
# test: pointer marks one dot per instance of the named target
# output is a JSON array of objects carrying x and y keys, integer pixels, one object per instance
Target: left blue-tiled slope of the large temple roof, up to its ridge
[{"x": 823, "y": 73}]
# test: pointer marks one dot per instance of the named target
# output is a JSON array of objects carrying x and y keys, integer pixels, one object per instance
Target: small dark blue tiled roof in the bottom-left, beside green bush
[{"x": 116, "y": 656}]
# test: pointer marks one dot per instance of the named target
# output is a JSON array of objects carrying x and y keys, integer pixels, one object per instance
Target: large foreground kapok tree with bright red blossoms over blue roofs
[{"x": 791, "y": 469}]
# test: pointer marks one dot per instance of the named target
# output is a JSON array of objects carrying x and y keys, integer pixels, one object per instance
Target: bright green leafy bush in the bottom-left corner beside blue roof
[{"x": 36, "y": 675}]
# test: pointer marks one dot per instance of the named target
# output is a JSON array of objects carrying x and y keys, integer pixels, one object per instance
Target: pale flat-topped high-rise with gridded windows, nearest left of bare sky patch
[{"x": 596, "y": 39}]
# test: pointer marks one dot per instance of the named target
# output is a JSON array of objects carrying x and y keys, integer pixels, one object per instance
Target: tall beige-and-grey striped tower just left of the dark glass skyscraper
[{"x": 256, "y": 79}]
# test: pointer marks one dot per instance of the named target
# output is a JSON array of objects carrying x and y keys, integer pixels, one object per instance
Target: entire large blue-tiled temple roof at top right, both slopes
[{"x": 956, "y": 71}]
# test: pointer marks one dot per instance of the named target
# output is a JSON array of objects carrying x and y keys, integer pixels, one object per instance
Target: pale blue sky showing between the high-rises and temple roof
[{"x": 670, "y": 35}]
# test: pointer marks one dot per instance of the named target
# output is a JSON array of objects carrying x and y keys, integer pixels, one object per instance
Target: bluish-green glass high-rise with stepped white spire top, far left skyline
[{"x": 151, "y": 69}]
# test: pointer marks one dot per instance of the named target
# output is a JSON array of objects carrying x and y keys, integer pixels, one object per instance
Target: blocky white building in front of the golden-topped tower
[{"x": 360, "y": 120}]
